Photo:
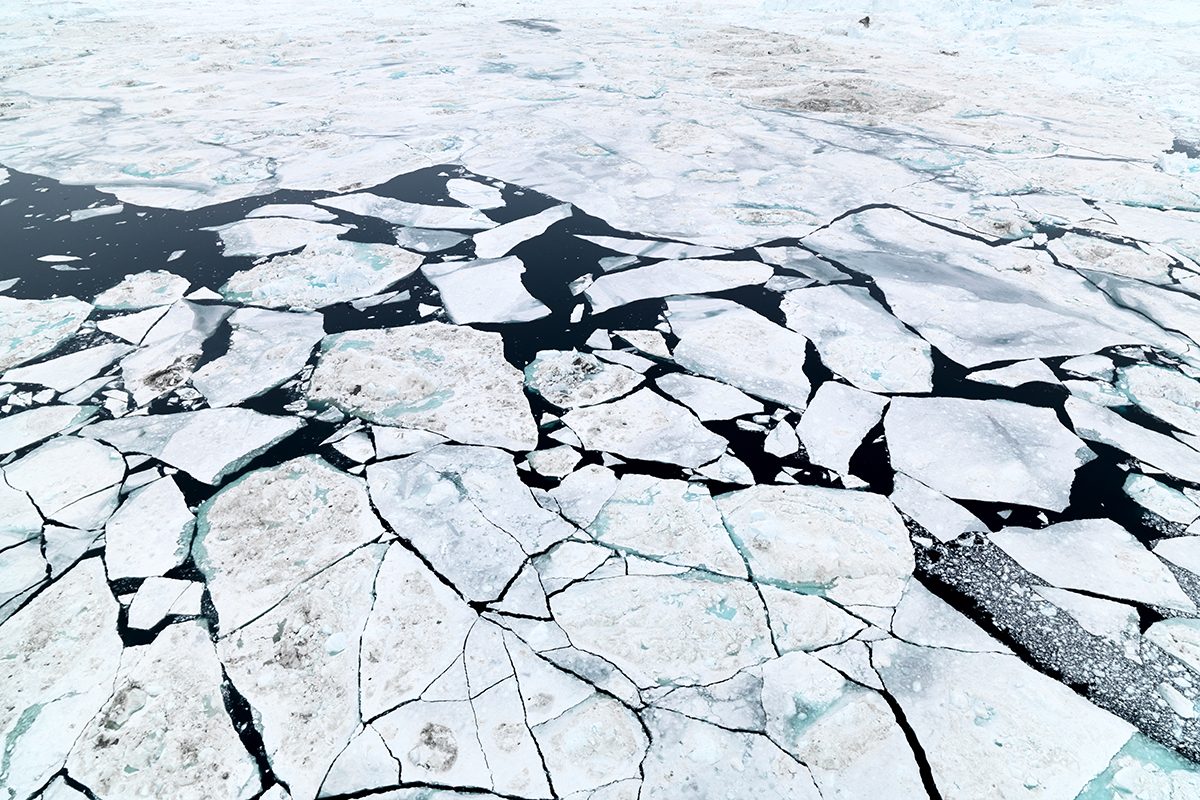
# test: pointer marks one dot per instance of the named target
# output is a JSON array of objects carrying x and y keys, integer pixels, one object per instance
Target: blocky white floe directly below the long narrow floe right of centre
[{"x": 723, "y": 340}]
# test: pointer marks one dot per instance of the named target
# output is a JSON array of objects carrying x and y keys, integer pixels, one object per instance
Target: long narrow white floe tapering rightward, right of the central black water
[{"x": 673, "y": 278}]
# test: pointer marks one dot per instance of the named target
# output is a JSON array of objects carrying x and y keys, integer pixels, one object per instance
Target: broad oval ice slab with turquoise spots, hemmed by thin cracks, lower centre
[{"x": 668, "y": 630}]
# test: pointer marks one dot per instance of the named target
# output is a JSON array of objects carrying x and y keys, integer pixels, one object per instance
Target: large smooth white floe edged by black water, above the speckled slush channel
[{"x": 986, "y": 450}]
